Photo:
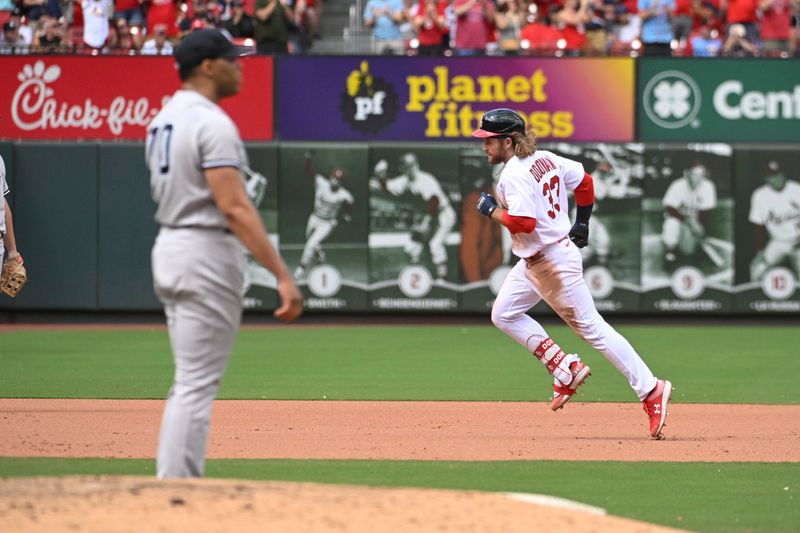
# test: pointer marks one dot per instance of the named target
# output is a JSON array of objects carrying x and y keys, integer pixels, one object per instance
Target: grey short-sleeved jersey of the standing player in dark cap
[{"x": 209, "y": 140}]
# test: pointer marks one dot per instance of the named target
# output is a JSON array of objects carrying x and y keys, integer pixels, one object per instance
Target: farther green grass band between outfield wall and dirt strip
[{"x": 743, "y": 364}]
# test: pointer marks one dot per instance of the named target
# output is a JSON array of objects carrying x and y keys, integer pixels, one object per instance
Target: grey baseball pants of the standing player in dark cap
[{"x": 198, "y": 276}]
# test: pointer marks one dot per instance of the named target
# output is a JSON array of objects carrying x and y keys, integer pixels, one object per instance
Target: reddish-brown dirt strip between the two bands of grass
[{"x": 408, "y": 430}]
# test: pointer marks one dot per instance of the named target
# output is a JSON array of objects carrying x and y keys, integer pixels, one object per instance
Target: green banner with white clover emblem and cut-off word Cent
[{"x": 723, "y": 100}]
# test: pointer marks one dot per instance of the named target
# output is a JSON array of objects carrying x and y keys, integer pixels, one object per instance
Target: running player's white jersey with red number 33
[{"x": 536, "y": 187}]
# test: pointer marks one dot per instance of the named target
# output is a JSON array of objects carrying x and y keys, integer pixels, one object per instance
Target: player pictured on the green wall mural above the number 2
[{"x": 426, "y": 187}]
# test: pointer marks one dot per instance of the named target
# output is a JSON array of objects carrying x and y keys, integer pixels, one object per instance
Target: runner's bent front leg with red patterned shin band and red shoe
[{"x": 509, "y": 314}]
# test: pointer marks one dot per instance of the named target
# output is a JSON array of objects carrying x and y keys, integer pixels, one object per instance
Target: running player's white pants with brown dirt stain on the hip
[{"x": 555, "y": 275}]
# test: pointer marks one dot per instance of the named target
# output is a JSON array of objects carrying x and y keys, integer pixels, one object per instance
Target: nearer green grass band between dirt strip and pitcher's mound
[{"x": 723, "y": 497}]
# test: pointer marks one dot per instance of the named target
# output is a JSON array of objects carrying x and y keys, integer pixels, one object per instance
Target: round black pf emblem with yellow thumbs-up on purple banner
[{"x": 369, "y": 104}]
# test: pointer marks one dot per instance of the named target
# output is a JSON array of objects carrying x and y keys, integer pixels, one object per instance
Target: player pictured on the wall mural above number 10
[{"x": 775, "y": 210}]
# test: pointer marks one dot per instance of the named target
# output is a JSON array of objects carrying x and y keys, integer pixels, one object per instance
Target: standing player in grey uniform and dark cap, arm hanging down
[{"x": 194, "y": 154}]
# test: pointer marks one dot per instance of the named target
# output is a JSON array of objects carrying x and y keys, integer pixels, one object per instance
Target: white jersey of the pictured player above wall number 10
[{"x": 778, "y": 211}]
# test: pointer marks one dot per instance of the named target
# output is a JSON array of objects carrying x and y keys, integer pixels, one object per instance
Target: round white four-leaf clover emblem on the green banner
[{"x": 672, "y": 100}]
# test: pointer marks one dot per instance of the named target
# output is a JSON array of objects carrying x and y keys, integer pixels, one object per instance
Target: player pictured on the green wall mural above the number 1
[{"x": 330, "y": 197}]
